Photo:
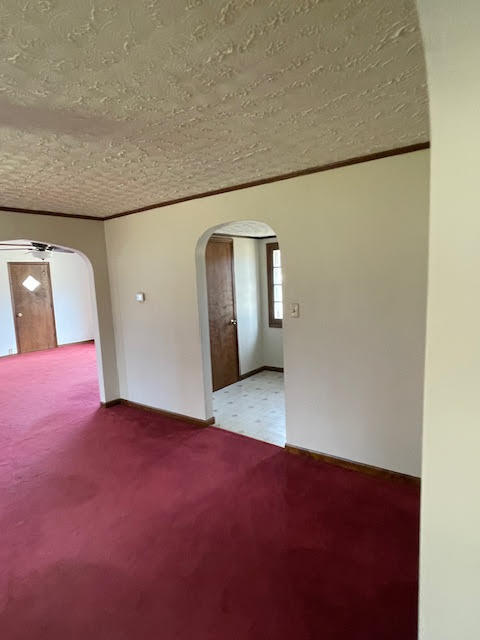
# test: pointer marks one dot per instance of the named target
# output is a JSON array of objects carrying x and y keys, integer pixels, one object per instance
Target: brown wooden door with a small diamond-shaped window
[{"x": 32, "y": 304}]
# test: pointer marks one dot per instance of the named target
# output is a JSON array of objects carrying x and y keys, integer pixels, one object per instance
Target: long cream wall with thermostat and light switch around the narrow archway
[{"x": 354, "y": 246}]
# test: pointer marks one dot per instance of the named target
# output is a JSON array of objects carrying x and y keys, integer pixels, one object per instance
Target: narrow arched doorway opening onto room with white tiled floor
[{"x": 241, "y": 315}]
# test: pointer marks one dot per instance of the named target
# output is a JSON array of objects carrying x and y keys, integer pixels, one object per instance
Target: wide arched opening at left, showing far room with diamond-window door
[{"x": 48, "y": 319}]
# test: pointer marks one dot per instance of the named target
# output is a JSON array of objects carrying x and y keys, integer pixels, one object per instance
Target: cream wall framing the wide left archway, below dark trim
[{"x": 88, "y": 238}]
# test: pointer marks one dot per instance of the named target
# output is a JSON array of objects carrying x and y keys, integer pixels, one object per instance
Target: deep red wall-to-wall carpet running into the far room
[{"x": 116, "y": 523}]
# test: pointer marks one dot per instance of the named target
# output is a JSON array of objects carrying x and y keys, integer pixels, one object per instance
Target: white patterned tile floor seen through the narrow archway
[{"x": 254, "y": 407}]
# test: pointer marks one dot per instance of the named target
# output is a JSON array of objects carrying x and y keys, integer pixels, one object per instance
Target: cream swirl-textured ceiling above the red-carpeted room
[{"x": 107, "y": 105}]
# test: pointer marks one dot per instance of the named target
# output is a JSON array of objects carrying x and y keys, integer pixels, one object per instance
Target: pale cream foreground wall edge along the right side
[{"x": 450, "y": 524}]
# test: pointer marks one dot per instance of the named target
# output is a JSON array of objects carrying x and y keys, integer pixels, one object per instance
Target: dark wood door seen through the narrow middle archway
[{"x": 221, "y": 312}]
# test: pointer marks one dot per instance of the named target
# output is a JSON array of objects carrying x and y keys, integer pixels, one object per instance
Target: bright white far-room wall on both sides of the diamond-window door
[{"x": 71, "y": 299}]
